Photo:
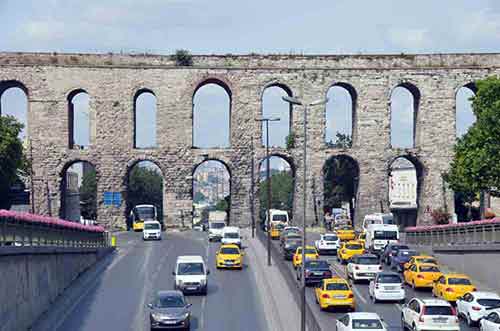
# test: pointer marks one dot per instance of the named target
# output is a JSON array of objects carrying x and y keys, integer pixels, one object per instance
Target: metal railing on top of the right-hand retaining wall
[{"x": 474, "y": 233}]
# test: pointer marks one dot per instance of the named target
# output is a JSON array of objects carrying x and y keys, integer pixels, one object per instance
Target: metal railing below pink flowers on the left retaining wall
[{"x": 16, "y": 232}]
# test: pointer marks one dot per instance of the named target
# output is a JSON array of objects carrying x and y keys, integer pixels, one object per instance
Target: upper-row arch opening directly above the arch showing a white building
[{"x": 415, "y": 104}]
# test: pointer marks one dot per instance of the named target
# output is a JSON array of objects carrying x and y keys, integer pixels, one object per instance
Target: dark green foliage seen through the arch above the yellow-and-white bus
[{"x": 145, "y": 187}]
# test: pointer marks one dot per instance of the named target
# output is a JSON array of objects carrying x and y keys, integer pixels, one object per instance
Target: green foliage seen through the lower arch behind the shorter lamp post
[{"x": 281, "y": 193}]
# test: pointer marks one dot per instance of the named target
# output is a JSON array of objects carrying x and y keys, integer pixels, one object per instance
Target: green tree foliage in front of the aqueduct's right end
[{"x": 476, "y": 164}]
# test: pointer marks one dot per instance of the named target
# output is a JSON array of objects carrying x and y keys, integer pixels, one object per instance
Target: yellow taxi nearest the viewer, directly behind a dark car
[{"x": 334, "y": 292}]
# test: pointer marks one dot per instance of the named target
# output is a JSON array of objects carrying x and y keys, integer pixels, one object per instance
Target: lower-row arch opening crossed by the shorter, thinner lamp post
[{"x": 282, "y": 184}]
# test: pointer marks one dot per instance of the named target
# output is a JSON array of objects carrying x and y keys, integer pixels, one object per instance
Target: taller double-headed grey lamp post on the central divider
[{"x": 295, "y": 101}]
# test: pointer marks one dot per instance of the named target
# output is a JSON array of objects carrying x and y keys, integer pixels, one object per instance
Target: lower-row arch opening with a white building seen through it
[{"x": 405, "y": 176}]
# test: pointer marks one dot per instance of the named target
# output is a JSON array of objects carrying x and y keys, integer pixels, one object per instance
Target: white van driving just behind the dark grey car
[{"x": 191, "y": 274}]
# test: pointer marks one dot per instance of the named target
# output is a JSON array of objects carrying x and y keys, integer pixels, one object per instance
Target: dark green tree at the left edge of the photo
[{"x": 13, "y": 161}]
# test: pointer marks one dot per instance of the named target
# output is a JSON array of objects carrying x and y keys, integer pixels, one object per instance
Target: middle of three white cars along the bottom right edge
[{"x": 429, "y": 315}]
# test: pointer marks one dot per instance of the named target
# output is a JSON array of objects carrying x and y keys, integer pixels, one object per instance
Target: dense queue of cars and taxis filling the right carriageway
[{"x": 387, "y": 266}]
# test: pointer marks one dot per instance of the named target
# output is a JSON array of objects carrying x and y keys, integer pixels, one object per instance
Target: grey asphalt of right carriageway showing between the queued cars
[{"x": 389, "y": 311}]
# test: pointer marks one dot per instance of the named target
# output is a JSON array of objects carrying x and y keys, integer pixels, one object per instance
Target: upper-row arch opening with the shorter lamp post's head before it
[{"x": 288, "y": 123}]
